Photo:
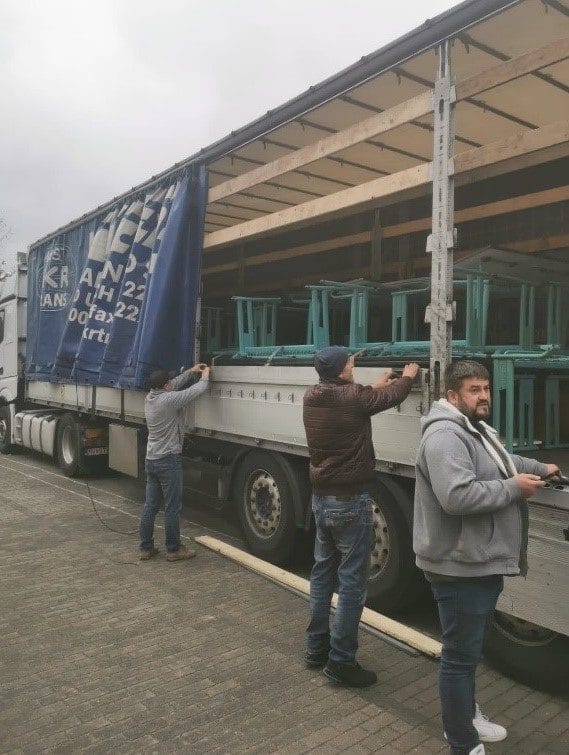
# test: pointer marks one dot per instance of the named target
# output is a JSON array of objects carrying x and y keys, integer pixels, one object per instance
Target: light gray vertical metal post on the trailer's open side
[{"x": 440, "y": 243}]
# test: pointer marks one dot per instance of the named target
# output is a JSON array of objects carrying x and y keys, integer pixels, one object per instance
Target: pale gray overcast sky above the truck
[{"x": 99, "y": 96}]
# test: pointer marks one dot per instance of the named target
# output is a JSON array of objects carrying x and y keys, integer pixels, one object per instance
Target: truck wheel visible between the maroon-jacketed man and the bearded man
[{"x": 393, "y": 576}]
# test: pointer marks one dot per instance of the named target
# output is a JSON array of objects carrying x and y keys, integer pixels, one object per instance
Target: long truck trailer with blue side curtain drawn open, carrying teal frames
[{"x": 413, "y": 206}]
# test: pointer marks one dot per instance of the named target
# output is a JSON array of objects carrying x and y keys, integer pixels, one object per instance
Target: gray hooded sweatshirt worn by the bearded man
[{"x": 470, "y": 518}]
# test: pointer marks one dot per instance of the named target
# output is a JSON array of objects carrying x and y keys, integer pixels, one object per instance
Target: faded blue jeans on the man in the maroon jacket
[{"x": 341, "y": 552}]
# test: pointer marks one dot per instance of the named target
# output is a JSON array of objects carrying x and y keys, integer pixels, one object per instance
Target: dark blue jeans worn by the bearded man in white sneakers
[{"x": 465, "y": 609}]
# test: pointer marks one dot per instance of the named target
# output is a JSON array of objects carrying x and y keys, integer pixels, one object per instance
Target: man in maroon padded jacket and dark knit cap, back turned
[{"x": 337, "y": 420}]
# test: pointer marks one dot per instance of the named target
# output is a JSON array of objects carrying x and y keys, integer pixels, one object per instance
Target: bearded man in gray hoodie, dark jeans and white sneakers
[{"x": 470, "y": 529}]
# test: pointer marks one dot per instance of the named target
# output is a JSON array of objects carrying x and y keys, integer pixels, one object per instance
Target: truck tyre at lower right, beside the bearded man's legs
[{"x": 532, "y": 654}]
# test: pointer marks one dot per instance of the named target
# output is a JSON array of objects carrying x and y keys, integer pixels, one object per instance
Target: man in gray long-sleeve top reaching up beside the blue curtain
[{"x": 164, "y": 410}]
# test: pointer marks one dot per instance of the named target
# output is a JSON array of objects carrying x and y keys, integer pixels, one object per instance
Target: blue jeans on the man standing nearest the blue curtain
[{"x": 163, "y": 484}]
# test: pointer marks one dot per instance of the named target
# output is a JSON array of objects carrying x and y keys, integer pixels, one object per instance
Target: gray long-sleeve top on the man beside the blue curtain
[{"x": 164, "y": 411}]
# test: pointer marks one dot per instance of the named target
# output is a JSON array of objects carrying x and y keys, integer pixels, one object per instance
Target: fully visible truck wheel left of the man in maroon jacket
[{"x": 265, "y": 505}]
